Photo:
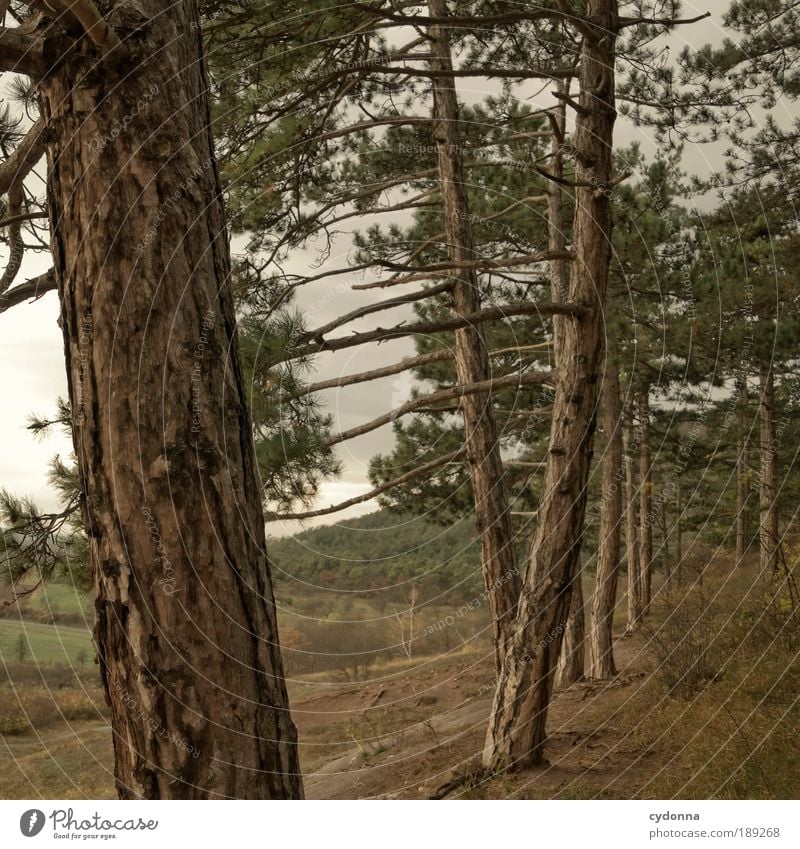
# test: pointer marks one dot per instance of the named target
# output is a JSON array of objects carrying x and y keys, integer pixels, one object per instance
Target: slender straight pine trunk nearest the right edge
[{"x": 768, "y": 523}]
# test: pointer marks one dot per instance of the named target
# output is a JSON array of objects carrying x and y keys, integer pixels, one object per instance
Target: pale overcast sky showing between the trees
[{"x": 33, "y": 365}]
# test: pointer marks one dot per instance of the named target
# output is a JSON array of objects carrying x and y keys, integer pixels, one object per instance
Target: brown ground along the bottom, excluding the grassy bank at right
[{"x": 401, "y": 735}]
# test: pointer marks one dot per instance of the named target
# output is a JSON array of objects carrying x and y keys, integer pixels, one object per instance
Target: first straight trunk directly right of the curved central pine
[{"x": 601, "y": 652}]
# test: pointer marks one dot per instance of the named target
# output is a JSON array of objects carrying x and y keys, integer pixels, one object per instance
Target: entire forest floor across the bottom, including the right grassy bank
[{"x": 705, "y": 705}]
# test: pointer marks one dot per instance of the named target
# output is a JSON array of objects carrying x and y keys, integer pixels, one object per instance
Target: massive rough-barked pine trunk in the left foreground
[{"x": 185, "y": 628}]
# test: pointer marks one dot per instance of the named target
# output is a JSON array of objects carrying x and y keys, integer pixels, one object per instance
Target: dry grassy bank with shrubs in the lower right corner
[{"x": 722, "y": 709}]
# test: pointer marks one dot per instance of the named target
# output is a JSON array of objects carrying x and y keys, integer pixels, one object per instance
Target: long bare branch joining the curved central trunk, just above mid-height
[{"x": 381, "y": 334}]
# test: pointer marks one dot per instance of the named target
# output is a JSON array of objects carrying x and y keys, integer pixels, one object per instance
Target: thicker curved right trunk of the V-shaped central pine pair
[{"x": 516, "y": 734}]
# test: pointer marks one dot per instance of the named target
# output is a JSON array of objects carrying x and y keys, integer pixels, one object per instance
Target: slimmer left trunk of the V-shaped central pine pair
[{"x": 493, "y": 516}]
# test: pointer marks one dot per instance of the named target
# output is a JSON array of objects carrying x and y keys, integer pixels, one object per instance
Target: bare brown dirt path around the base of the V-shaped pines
[{"x": 405, "y": 737}]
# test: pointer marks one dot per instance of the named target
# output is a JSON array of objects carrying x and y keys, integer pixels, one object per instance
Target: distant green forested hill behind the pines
[{"x": 379, "y": 550}]
